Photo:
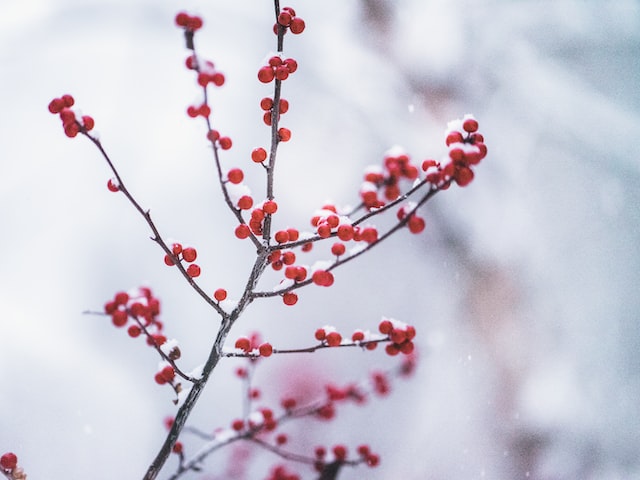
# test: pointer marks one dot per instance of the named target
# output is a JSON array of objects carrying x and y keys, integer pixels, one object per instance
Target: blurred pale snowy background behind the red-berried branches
[{"x": 523, "y": 287}]
